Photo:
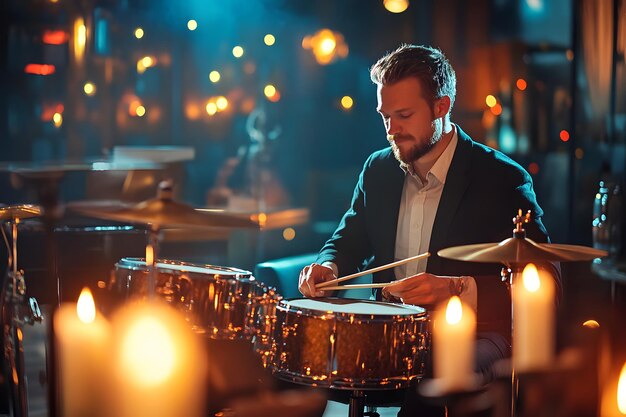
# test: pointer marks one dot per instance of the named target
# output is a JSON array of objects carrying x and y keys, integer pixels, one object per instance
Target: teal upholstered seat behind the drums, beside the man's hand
[{"x": 283, "y": 273}]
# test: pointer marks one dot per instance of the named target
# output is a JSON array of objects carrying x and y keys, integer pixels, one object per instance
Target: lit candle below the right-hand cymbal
[{"x": 533, "y": 320}]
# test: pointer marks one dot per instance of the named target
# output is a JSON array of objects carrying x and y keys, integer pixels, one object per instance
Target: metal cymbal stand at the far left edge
[{"x": 17, "y": 310}]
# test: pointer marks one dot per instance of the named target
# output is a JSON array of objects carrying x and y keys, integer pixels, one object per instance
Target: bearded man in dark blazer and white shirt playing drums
[{"x": 433, "y": 188}]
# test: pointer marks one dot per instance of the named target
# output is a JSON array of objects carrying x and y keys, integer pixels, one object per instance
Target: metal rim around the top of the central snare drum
[{"x": 423, "y": 314}]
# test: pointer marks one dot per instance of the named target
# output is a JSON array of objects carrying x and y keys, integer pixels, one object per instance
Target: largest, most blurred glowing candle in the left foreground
[{"x": 158, "y": 364}]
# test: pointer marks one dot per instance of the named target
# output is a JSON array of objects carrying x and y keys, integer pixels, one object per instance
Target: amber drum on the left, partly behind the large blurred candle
[{"x": 218, "y": 301}]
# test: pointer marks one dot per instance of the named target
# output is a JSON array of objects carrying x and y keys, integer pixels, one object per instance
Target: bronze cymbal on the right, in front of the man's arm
[{"x": 519, "y": 250}]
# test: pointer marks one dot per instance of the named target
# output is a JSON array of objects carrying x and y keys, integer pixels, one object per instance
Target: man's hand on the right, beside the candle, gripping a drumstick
[{"x": 422, "y": 289}]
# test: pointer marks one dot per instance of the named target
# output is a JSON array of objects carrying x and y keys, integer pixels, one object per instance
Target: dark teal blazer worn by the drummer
[{"x": 484, "y": 190}]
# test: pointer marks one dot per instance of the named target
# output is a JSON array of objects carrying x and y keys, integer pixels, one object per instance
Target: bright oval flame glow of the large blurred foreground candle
[{"x": 148, "y": 351}]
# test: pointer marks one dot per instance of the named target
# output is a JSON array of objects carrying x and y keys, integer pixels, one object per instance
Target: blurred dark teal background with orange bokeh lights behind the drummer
[{"x": 266, "y": 106}]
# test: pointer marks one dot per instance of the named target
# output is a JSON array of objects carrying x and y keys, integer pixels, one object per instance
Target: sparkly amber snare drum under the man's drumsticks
[{"x": 349, "y": 344}]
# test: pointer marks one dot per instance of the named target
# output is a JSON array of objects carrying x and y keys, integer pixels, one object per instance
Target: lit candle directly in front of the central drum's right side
[{"x": 454, "y": 346}]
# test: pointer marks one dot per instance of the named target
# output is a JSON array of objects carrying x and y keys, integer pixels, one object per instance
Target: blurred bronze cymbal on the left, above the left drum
[{"x": 162, "y": 213}]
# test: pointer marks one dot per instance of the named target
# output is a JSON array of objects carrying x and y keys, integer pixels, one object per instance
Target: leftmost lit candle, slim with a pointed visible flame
[{"x": 82, "y": 338}]
